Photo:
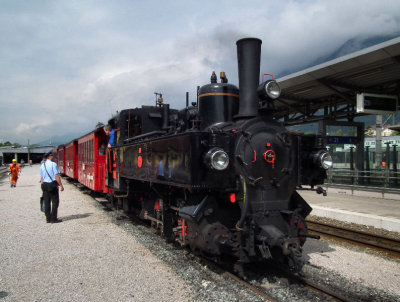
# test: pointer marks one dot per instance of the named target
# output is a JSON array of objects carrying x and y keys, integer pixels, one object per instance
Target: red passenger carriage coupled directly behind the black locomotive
[{"x": 91, "y": 160}]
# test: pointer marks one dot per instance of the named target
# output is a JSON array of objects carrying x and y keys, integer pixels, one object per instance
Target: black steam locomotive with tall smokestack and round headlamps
[{"x": 221, "y": 175}]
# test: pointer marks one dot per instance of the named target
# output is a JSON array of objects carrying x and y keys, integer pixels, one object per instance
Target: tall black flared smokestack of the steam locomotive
[{"x": 249, "y": 52}]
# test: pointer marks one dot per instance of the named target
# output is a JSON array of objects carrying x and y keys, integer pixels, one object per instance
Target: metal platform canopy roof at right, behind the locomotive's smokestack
[{"x": 328, "y": 90}]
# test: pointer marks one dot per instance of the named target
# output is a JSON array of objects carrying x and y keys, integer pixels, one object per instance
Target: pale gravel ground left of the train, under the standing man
[{"x": 84, "y": 258}]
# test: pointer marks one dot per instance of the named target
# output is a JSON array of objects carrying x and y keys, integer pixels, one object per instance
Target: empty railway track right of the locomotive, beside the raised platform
[{"x": 389, "y": 245}]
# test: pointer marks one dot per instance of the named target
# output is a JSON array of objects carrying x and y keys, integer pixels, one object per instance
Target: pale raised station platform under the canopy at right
[{"x": 358, "y": 207}]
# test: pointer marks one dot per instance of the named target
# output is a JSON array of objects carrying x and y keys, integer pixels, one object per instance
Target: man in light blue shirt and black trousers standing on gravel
[{"x": 51, "y": 180}]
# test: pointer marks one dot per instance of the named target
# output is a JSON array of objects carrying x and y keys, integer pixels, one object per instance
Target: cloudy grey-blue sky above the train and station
[{"x": 67, "y": 65}]
